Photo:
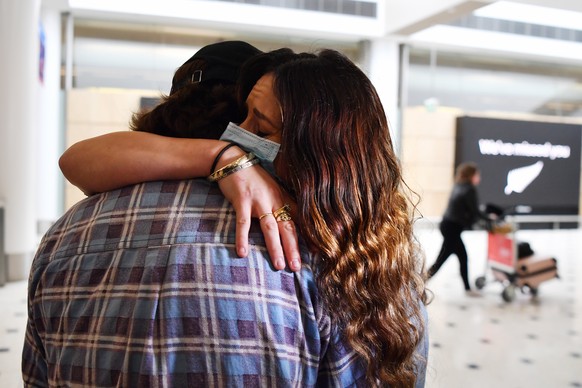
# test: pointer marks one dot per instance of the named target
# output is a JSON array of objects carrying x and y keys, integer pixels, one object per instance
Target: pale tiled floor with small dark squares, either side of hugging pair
[{"x": 475, "y": 342}]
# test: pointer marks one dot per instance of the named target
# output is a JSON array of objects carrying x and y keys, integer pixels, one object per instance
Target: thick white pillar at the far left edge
[{"x": 19, "y": 43}]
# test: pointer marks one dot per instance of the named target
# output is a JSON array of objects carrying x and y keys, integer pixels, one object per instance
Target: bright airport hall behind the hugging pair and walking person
[{"x": 494, "y": 82}]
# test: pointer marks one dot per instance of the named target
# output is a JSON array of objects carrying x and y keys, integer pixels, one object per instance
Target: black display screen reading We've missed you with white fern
[{"x": 529, "y": 167}]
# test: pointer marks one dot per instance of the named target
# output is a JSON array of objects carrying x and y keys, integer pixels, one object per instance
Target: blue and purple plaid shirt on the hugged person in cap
[{"x": 141, "y": 287}]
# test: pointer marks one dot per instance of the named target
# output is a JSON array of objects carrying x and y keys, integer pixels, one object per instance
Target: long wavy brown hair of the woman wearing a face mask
[{"x": 353, "y": 211}]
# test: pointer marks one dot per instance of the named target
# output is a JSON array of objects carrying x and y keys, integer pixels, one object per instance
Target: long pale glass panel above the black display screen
[{"x": 480, "y": 83}]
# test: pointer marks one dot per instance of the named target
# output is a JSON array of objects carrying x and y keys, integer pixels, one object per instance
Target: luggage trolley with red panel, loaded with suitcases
[{"x": 515, "y": 268}]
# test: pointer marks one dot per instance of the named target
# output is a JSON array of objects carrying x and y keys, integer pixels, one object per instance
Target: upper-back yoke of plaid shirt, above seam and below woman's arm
[{"x": 145, "y": 213}]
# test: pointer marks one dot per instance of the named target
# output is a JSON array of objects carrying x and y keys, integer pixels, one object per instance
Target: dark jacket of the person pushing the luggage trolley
[{"x": 463, "y": 207}]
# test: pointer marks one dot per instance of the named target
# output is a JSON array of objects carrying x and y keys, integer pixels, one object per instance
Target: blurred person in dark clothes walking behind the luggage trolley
[{"x": 462, "y": 212}]
